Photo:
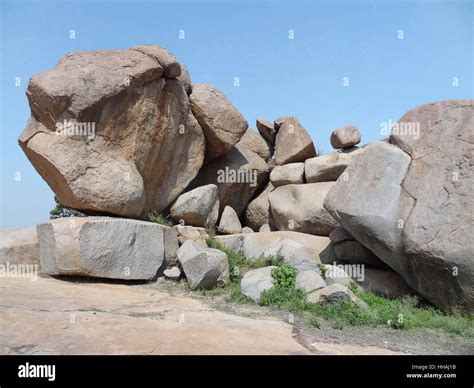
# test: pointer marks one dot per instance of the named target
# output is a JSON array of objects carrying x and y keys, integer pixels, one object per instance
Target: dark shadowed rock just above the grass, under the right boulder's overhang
[{"x": 385, "y": 282}]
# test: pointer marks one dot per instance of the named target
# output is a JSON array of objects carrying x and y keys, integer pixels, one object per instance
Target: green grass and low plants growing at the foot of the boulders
[{"x": 400, "y": 314}]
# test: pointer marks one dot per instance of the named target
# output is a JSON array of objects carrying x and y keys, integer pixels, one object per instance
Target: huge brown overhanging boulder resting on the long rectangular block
[{"x": 110, "y": 134}]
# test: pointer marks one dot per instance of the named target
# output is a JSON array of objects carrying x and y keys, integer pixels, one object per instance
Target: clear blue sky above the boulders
[{"x": 395, "y": 55}]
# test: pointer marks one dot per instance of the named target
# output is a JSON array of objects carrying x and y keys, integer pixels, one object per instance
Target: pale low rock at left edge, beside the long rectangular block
[{"x": 19, "y": 246}]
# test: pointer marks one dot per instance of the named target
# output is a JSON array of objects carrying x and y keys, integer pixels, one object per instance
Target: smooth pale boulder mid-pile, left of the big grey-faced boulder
[{"x": 300, "y": 208}]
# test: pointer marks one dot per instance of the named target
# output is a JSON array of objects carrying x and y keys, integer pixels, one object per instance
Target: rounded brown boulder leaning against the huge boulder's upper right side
[{"x": 222, "y": 124}]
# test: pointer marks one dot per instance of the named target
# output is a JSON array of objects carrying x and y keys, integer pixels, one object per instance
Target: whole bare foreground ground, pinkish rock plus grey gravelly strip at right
[{"x": 55, "y": 316}]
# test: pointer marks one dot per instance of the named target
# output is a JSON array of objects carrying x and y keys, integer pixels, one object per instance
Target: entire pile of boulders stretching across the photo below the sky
[{"x": 124, "y": 137}]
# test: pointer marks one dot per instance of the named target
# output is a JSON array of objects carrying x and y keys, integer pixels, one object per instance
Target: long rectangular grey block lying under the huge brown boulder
[{"x": 102, "y": 247}]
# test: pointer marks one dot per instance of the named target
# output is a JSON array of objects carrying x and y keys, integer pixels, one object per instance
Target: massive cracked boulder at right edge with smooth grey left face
[{"x": 411, "y": 201}]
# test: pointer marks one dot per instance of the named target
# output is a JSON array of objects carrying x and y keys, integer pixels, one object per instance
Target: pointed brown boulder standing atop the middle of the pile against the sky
[{"x": 293, "y": 144}]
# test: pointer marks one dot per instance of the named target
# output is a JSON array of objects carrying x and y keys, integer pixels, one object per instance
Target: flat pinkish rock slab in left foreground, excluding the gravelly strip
[{"x": 51, "y": 316}]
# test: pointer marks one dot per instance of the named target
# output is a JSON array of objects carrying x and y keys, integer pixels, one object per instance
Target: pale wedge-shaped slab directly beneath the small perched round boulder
[{"x": 329, "y": 167}]
